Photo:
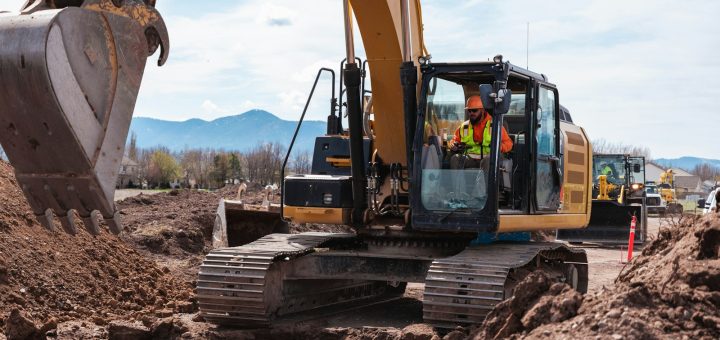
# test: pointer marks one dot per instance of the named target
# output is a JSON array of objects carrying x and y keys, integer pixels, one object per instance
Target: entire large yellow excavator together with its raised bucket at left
[{"x": 70, "y": 76}]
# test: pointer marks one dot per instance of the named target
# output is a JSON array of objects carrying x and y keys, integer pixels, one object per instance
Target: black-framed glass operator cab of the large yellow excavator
[{"x": 531, "y": 125}]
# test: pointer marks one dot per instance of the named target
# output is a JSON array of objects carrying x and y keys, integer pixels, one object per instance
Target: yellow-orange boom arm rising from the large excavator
[{"x": 379, "y": 25}]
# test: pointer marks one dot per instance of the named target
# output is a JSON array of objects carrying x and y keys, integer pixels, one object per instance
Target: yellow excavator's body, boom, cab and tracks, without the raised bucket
[{"x": 461, "y": 232}]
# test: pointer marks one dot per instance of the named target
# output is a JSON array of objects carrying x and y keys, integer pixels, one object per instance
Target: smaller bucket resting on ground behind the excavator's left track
[{"x": 237, "y": 224}]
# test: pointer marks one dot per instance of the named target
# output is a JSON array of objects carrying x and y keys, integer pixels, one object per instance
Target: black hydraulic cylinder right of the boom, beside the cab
[{"x": 408, "y": 79}]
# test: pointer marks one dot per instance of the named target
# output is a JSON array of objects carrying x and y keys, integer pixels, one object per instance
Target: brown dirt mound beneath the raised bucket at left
[{"x": 54, "y": 277}]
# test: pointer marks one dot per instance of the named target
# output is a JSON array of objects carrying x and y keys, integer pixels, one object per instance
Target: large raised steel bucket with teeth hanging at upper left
[{"x": 70, "y": 72}]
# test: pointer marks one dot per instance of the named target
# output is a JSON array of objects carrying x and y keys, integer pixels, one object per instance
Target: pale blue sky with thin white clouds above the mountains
[{"x": 637, "y": 72}]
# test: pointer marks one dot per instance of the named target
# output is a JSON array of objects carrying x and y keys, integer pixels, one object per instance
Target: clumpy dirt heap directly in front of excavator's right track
[{"x": 537, "y": 301}]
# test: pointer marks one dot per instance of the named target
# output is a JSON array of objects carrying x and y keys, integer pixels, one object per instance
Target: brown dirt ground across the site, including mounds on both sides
[{"x": 141, "y": 284}]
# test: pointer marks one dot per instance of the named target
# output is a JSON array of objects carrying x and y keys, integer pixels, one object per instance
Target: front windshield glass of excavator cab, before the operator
[{"x": 450, "y": 180}]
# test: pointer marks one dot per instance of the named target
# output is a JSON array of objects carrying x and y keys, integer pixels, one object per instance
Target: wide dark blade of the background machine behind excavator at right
[{"x": 610, "y": 224}]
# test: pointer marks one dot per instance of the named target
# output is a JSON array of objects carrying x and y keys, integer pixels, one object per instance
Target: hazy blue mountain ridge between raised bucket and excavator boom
[{"x": 241, "y": 132}]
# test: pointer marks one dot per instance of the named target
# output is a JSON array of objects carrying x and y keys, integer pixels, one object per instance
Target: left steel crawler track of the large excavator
[{"x": 244, "y": 286}]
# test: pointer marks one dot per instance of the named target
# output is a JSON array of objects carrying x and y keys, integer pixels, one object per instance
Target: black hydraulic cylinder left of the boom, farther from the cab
[{"x": 357, "y": 159}]
